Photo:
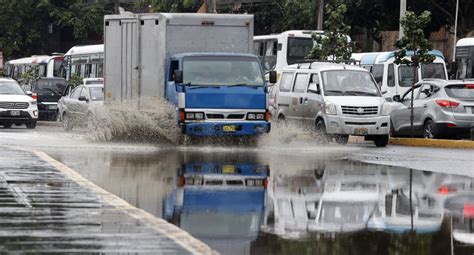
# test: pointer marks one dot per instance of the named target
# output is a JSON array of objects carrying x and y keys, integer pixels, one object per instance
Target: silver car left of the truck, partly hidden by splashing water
[{"x": 76, "y": 108}]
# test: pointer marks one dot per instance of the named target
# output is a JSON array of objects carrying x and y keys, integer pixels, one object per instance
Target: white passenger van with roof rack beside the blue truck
[{"x": 335, "y": 100}]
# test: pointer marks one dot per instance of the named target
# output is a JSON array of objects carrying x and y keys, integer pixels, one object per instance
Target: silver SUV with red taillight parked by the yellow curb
[{"x": 442, "y": 109}]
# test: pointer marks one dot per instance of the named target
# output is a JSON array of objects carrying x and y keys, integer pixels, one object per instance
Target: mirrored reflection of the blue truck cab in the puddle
[{"x": 221, "y": 204}]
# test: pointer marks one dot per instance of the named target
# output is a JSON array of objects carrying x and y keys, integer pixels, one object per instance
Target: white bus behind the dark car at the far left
[{"x": 45, "y": 66}]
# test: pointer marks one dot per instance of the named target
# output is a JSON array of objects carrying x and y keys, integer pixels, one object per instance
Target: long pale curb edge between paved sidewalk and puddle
[{"x": 181, "y": 237}]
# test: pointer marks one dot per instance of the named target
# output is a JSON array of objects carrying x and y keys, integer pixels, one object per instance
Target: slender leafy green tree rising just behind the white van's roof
[{"x": 333, "y": 43}]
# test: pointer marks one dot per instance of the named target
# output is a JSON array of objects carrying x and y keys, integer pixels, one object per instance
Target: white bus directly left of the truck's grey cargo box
[{"x": 85, "y": 61}]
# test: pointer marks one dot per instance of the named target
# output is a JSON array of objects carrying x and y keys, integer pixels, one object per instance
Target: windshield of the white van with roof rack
[{"x": 349, "y": 83}]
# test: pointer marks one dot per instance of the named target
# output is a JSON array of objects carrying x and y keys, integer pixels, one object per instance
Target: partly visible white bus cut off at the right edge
[{"x": 464, "y": 58}]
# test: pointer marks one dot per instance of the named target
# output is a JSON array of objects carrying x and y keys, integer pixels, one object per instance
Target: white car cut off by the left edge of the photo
[{"x": 16, "y": 107}]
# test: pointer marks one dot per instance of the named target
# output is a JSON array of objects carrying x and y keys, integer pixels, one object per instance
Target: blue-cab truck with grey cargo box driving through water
[{"x": 202, "y": 63}]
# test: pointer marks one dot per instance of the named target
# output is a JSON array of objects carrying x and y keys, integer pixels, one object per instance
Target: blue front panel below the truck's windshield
[{"x": 226, "y": 98}]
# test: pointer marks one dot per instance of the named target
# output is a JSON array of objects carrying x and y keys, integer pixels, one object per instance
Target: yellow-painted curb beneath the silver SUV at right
[{"x": 438, "y": 143}]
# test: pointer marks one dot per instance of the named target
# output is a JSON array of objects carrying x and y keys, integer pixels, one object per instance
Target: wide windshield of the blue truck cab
[{"x": 222, "y": 71}]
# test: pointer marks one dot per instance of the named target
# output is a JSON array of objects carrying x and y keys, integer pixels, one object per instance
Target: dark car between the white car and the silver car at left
[{"x": 48, "y": 91}]
